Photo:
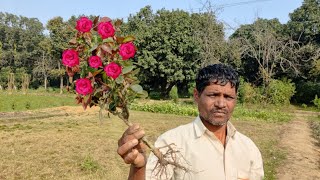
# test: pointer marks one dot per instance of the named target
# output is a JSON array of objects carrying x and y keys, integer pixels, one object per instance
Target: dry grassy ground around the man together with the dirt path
[{"x": 69, "y": 143}]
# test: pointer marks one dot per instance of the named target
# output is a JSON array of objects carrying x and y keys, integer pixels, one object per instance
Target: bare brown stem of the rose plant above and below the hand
[{"x": 163, "y": 162}]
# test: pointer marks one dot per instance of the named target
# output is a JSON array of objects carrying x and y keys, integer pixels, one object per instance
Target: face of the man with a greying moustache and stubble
[{"x": 216, "y": 103}]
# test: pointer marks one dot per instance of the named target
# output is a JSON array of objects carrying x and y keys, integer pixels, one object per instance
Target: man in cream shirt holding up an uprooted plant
[{"x": 210, "y": 145}]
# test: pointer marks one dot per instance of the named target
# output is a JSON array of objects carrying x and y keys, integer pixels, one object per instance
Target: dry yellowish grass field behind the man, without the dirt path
[{"x": 70, "y": 143}]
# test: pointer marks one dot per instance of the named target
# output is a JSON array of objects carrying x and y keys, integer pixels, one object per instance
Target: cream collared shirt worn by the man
[{"x": 205, "y": 156}]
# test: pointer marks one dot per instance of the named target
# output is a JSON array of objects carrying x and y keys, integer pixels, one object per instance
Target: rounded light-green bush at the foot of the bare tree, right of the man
[{"x": 280, "y": 92}]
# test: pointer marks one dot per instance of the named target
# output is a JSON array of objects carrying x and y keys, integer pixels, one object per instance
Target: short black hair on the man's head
[{"x": 216, "y": 74}]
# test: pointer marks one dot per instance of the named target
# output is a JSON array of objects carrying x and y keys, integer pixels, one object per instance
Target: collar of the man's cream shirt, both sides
[{"x": 200, "y": 129}]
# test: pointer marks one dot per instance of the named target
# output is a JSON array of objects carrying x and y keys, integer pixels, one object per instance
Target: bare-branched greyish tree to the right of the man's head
[{"x": 265, "y": 51}]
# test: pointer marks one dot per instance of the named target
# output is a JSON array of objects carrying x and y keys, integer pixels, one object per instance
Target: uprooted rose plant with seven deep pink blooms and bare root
[{"x": 101, "y": 56}]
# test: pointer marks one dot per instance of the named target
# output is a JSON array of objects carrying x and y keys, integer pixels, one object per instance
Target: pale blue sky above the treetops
[{"x": 232, "y": 13}]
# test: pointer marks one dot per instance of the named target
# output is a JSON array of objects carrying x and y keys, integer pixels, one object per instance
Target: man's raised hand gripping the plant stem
[{"x": 130, "y": 149}]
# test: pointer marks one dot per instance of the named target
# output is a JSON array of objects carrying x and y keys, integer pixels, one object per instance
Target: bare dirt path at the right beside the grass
[{"x": 303, "y": 156}]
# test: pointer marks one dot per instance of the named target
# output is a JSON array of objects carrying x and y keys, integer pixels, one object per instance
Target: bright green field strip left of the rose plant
[{"x": 21, "y": 102}]
